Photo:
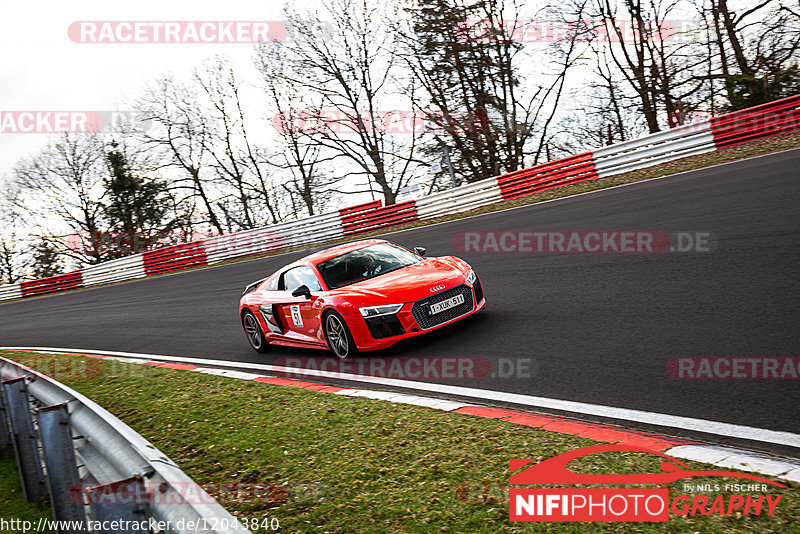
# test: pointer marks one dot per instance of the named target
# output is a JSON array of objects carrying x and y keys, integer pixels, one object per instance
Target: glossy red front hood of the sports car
[{"x": 411, "y": 283}]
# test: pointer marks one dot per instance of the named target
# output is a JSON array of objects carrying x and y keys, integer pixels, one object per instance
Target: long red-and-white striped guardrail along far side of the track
[{"x": 719, "y": 132}]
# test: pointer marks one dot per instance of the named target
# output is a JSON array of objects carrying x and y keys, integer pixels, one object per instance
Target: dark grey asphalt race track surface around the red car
[{"x": 598, "y": 328}]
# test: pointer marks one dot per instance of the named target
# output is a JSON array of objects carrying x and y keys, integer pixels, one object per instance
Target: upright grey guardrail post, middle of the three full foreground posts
[{"x": 62, "y": 468}]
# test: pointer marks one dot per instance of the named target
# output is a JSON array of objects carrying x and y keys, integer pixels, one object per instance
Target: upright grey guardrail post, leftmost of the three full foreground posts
[{"x": 24, "y": 439}]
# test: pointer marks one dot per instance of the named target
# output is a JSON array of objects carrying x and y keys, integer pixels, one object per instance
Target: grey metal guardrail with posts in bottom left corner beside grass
[{"x": 94, "y": 468}]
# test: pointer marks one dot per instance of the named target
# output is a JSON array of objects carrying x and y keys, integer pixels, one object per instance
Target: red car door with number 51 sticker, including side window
[{"x": 299, "y": 315}]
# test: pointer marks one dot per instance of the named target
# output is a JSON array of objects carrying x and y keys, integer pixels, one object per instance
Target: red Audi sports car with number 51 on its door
[{"x": 360, "y": 296}]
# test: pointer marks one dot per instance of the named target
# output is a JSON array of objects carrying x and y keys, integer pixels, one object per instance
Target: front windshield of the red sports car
[{"x": 365, "y": 263}]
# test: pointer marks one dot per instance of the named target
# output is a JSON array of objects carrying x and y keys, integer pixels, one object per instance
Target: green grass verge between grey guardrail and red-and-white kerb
[{"x": 328, "y": 463}]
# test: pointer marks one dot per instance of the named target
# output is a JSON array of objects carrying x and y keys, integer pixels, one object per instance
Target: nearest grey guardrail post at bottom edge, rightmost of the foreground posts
[{"x": 123, "y": 502}]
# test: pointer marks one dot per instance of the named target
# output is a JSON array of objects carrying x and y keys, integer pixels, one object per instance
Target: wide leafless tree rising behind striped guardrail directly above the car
[{"x": 350, "y": 71}]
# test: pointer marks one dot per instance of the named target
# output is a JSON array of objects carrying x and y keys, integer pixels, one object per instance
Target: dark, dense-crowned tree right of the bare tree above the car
[{"x": 470, "y": 62}]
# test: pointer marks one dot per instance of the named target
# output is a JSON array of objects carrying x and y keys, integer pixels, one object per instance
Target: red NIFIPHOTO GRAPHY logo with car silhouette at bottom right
[{"x": 625, "y": 504}]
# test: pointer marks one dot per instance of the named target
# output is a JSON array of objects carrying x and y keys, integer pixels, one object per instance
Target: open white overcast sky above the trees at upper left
[{"x": 42, "y": 69}]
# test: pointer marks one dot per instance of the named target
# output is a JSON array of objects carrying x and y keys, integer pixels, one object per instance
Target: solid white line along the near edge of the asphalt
[{"x": 623, "y": 414}]
